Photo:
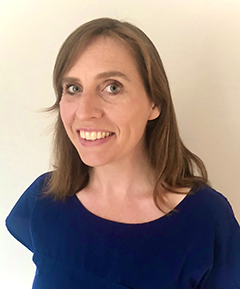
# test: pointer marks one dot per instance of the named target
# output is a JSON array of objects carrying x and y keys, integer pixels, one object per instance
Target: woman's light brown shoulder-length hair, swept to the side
[{"x": 175, "y": 166}]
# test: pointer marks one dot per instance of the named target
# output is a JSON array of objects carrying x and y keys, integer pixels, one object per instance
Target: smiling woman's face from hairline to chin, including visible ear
[{"x": 104, "y": 106}]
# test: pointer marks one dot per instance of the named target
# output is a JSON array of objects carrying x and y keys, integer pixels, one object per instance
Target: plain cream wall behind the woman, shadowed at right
[{"x": 199, "y": 42}]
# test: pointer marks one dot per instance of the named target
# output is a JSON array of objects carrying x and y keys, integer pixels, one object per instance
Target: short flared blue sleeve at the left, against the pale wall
[{"x": 18, "y": 221}]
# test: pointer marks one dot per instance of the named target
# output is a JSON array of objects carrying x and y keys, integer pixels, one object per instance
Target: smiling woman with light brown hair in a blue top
[{"x": 128, "y": 205}]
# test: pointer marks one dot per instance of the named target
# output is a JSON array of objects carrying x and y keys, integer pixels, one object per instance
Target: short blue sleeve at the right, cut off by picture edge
[{"x": 225, "y": 270}]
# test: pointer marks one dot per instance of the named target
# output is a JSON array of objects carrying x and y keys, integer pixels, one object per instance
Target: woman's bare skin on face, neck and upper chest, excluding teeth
[{"x": 96, "y": 99}]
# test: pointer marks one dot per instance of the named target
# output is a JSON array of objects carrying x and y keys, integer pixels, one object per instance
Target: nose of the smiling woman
[{"x": 89, "y": 106}]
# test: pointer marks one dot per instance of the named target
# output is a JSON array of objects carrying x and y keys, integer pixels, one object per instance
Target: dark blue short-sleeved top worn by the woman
[{"x": 196, "y": 247}]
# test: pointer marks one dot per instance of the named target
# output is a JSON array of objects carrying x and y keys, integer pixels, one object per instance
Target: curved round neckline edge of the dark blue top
[{"x": 168, "y": 216}]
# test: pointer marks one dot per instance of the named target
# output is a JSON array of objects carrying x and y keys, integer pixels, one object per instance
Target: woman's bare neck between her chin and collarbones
[{"x": 127, "y": 178}]
